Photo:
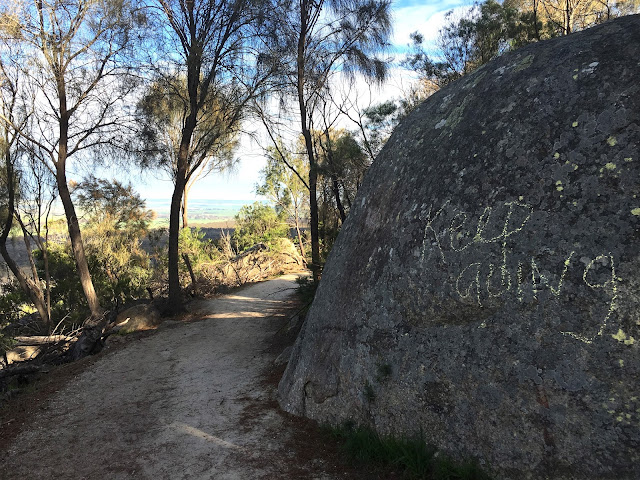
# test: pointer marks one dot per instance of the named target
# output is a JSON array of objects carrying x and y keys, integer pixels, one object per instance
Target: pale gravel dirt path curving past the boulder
[{"x": 189, "y": 402}]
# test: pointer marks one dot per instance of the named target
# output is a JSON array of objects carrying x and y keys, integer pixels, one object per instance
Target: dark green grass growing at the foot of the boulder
[{"x": 413, "y": 456}]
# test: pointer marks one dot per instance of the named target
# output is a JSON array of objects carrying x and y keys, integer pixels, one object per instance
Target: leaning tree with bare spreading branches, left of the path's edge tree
[{"x": 76, "y": 58}]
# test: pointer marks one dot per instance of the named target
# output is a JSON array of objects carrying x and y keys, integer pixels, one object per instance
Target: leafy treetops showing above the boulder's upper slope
[{"x": 491, "y": 28}]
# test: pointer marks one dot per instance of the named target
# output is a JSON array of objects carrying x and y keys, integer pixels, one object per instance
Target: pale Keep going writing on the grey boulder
[{"x": 452, "y": 236}]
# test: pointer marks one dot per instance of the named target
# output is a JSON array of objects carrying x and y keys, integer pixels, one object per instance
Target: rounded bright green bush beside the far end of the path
[{"x": 258, "y": 223}]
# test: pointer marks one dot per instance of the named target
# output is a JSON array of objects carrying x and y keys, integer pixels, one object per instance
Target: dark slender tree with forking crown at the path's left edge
[{"x": 209, "y": 46}]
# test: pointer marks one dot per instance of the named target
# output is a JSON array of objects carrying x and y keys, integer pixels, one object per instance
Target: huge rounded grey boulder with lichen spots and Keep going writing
[{"x": 485, "y": 289}]
